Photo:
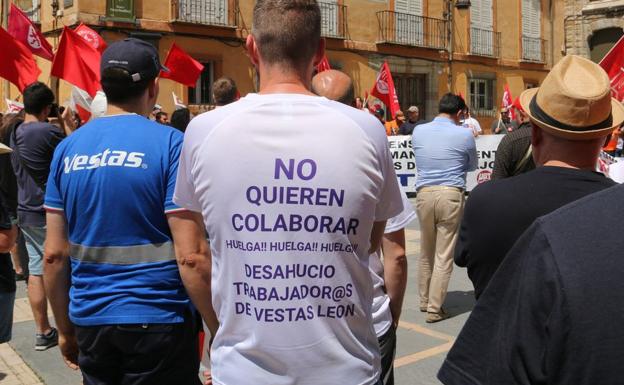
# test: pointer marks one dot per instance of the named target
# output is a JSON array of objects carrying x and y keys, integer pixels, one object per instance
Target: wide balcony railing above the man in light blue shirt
[{"x": 414, "y": 30}]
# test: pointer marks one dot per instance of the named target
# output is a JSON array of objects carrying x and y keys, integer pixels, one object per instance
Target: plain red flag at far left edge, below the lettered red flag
[{"x": 18, "y": 64}]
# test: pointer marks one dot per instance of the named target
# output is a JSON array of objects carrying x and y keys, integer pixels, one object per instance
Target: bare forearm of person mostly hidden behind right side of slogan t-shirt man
[{"x": 395, "y": 271}]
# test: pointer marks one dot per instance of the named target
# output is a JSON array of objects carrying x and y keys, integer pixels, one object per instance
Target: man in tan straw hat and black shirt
[{"x": 566, "y": 146}]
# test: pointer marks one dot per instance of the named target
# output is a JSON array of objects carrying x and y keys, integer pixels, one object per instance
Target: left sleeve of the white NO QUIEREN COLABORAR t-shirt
[{"x": 185, "y": 193}]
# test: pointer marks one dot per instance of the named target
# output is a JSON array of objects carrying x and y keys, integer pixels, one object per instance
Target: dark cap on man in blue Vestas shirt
[{"x": 136, "y": 56}]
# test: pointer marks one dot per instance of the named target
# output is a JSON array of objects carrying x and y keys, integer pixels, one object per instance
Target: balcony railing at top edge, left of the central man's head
[{"x": 208, "y": 12}]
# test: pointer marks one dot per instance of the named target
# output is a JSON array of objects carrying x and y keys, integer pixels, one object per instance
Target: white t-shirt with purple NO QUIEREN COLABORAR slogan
[{"x": 289, "y": 187}]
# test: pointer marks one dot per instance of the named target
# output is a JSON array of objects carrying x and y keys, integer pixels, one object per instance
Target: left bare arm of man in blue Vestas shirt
[{"x": 57, "y": 279}]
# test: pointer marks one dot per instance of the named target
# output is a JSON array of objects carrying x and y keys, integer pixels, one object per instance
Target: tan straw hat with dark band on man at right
[{"x": 574, "y": 101}]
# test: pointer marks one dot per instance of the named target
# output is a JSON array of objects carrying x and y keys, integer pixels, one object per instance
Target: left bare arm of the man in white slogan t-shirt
[{"x": 194, "y": 262}]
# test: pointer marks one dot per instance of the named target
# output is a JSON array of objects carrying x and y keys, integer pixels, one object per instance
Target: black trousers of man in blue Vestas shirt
[{"x": 139, "y": 354}]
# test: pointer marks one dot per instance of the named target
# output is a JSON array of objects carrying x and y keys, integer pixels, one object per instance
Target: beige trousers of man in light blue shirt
[{"x": 440, "y": 211}]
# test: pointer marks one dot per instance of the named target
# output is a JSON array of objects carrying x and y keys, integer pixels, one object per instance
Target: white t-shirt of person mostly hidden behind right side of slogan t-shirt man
[{"x": 382, "y": 317}]
